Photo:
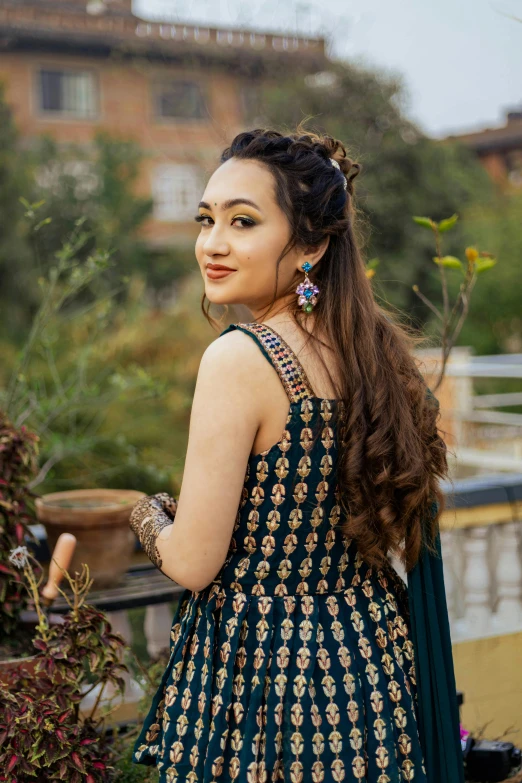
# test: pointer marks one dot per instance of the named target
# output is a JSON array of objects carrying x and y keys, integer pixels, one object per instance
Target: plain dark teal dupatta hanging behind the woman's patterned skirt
[{"x": 438, "y": 714}]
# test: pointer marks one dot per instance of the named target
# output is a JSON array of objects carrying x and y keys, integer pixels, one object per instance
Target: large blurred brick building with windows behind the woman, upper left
[{"x": 71, "y": 67}]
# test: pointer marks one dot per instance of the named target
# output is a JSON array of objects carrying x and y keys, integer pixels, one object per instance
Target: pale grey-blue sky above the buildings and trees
[{"x": 461, "y": 60}]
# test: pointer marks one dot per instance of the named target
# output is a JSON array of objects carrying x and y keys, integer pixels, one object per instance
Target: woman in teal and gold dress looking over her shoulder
[{"x": 297, "y": 653}]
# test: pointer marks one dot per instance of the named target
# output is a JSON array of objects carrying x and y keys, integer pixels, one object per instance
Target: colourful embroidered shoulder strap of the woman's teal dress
[{"x": 281, "y": 356}]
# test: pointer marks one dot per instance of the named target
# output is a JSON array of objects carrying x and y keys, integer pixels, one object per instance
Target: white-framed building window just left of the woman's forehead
[{"x": 176, "y": 190}]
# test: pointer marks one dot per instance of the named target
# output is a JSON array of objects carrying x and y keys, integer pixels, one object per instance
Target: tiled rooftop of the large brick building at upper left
[{"x": 100, "y": 26}]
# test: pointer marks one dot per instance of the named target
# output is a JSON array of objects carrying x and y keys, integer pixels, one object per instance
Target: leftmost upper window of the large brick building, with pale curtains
[{"x": 68, "y": 92}]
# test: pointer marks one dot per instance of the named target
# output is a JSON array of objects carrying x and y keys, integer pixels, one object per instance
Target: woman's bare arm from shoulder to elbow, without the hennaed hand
[{"x": 226, "y": 413}]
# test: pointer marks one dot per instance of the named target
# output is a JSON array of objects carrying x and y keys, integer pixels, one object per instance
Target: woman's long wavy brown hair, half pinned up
[{"x": 390, "y": 453}]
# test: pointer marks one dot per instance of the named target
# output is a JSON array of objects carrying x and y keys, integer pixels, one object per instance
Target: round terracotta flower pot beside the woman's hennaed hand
[{"x": 99, "y": 518}]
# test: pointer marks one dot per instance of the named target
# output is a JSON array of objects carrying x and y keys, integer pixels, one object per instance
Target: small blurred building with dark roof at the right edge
[{"x": 500, "y": 151}]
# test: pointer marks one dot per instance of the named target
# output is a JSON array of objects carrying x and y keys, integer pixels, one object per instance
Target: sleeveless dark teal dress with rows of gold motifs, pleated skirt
[{"x": 296, "y": 663}]
